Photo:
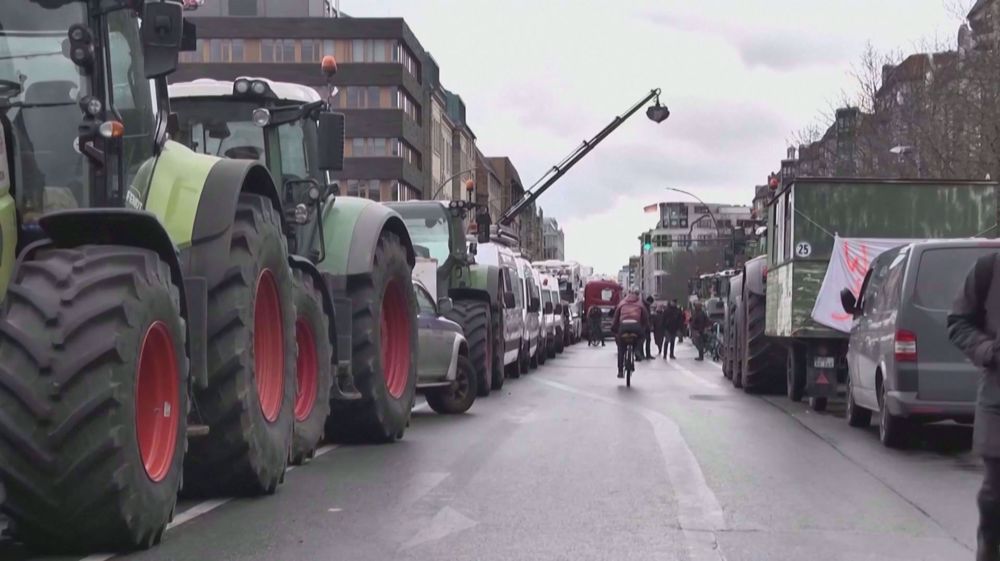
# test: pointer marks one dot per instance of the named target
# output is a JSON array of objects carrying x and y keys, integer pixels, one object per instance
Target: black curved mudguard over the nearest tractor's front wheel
[{"x": 136, "y": 228}]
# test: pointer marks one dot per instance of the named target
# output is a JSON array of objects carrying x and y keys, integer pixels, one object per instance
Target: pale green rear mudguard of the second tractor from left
[{"x": 352, "y": 227}]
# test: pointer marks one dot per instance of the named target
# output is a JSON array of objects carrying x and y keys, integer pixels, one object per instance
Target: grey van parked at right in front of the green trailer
[{"x": 900, "y": 361}]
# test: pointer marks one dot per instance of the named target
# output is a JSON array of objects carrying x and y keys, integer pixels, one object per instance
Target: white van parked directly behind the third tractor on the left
[{"x": 512, "y": 301}]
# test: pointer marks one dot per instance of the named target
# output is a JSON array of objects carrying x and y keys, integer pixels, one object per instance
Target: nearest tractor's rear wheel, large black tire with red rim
[{"x": 248, "y": 404}]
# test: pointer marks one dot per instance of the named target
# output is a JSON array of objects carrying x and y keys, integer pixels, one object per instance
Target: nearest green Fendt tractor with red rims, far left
[{"x": 147, "y": 302}]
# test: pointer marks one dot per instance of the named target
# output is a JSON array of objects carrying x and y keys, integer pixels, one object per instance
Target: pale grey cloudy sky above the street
[{"x": 539, "y": 76}]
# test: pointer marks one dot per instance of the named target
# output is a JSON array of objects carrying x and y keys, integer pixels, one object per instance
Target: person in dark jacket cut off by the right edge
[{"x": 973, "y": 326}]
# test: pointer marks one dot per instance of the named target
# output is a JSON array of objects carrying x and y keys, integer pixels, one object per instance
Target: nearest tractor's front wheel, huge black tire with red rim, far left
[{"x": 93, "y": 399}]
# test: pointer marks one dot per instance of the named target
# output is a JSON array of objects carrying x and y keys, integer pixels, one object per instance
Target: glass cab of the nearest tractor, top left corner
[{"x": 83, "y": 99}]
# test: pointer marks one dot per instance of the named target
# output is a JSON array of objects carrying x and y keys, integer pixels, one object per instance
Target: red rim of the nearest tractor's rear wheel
[{"x": 268, "y": 346}]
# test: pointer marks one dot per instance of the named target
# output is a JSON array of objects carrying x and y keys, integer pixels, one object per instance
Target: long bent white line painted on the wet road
[{"x": 699, "y": 514}]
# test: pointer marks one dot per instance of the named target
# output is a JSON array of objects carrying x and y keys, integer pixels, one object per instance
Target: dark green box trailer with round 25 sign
[{"x": 804, "y": 218}]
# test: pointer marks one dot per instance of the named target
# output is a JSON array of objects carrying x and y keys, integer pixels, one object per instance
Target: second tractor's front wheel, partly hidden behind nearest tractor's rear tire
[{"x": 313, "y": 369}]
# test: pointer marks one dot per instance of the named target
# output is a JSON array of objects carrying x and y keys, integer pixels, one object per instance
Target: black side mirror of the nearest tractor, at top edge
[{"x": 162, "y": 37}]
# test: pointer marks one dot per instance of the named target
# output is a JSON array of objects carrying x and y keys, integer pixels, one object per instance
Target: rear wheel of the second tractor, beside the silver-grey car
[{"x": 384, "y": 357}]
